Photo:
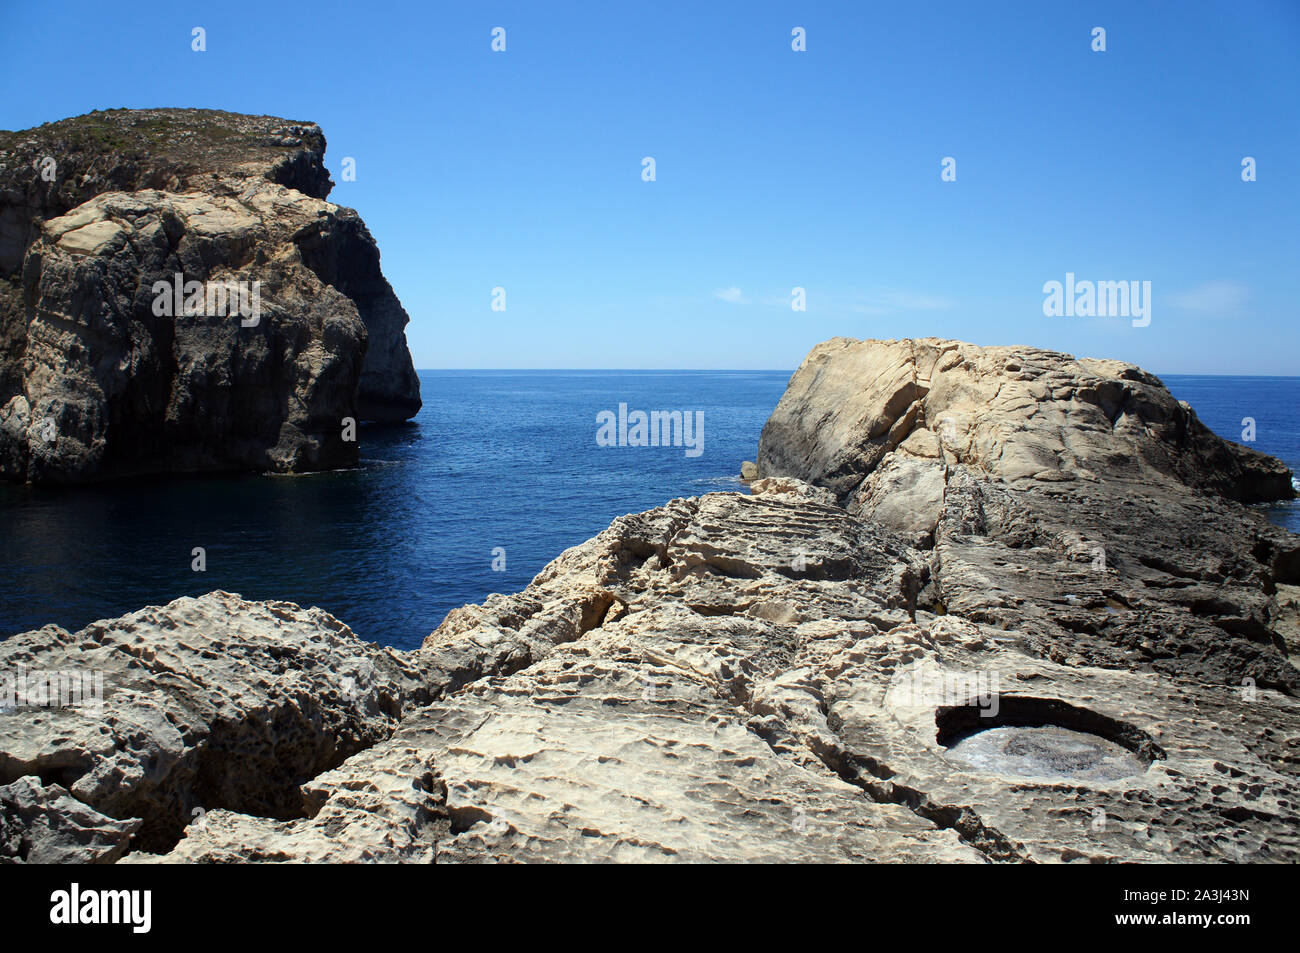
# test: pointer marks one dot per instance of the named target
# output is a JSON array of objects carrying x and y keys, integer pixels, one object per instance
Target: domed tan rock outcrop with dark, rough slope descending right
[{"x": 1072, "y": 501}]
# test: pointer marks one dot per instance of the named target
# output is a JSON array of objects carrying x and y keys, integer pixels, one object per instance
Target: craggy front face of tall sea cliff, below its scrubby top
[{"x": 124, "y": 391}]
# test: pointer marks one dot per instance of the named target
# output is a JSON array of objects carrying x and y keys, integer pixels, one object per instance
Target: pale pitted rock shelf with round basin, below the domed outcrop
[{"x": 783, "y": 704}]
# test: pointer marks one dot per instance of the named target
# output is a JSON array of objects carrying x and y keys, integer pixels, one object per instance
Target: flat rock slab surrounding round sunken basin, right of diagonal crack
[{"x": 1220, "y": 769}]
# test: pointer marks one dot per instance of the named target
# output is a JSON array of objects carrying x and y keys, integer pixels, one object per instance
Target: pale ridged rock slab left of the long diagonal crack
[{"x": 623, "y": 734}]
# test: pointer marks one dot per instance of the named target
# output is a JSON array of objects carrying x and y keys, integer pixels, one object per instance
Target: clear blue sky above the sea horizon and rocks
[{"x": 774, "y": 168}]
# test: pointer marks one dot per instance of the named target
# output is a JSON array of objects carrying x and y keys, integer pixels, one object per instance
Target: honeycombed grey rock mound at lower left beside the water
[{"x": 210, "y": 703}]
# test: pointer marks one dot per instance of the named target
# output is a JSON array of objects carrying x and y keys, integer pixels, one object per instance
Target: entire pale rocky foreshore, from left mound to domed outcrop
[{"x": 978, "y": 605}]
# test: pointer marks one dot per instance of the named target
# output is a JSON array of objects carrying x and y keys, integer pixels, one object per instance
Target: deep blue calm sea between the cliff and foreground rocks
[{"x": 496, "y": 460}]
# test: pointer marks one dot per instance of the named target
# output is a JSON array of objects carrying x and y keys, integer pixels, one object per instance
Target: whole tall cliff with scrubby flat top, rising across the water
[{"x": 105, "y": 375}]
